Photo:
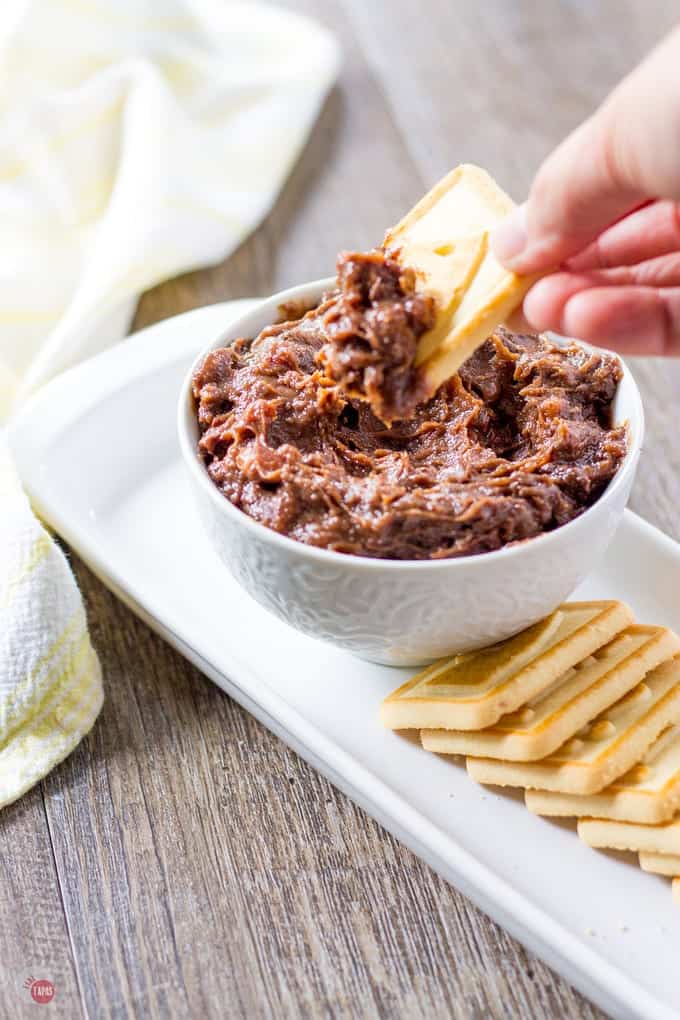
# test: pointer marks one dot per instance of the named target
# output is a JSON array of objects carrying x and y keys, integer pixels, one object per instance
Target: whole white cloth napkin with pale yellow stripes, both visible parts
[{"x": 138, "y": 139}]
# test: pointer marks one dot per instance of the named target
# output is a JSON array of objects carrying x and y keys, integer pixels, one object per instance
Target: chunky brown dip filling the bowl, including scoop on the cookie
[{"x": 293, "y": 428}]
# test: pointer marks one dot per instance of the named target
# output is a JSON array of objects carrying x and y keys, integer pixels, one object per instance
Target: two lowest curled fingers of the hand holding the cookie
[{"x": 632, "y": 320}]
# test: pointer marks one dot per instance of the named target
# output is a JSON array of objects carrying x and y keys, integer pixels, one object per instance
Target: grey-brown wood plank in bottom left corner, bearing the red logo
[{"x": 34, "y": 936}]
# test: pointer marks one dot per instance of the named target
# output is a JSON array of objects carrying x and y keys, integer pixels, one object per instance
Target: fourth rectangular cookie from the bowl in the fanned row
[{"x": 649, "y": 793}]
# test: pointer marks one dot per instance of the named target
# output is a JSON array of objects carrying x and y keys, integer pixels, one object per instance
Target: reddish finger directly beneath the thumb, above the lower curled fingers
[{"x": 652, "y": 231}]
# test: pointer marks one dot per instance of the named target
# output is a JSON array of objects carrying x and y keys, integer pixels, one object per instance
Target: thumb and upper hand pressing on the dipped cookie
[{"x": 624, "y": 156}]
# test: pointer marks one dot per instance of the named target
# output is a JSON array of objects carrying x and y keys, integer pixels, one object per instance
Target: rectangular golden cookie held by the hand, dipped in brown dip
[{"x": 445, "y": 238}]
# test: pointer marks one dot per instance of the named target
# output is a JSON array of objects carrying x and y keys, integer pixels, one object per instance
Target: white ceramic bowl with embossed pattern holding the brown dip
[{"x": 403, "y": 613}]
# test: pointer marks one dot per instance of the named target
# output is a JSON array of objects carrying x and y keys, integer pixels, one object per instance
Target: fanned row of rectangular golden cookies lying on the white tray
[{"x": 582, "y": 710}]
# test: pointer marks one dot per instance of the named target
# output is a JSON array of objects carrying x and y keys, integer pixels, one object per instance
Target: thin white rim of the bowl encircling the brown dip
[{"x": 311, "y": 292}]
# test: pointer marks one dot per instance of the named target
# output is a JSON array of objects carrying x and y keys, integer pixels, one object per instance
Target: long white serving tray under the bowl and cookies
[{"x": 97, "y": 452}]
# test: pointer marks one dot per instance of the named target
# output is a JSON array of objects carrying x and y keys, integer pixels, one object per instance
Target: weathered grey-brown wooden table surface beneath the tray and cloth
[{"x": 183, "y": 862}]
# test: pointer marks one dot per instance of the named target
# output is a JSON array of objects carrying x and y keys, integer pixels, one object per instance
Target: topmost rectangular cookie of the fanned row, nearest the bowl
[{"x": 474, "y": 690}]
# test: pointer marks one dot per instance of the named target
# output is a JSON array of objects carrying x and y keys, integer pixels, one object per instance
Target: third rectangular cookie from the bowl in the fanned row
[{"x": 606, "y": 749}]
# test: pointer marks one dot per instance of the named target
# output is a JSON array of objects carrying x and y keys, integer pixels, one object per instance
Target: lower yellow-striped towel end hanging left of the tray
[{"x": 50, "y": 680}]
